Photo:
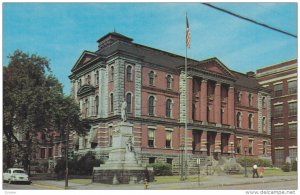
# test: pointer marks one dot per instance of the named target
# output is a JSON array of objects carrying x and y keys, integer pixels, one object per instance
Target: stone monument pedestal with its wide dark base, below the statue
[{"x": 122, "y": 166}]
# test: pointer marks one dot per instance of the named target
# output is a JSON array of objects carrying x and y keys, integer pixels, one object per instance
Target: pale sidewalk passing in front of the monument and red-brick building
[{"x": 211, "y": 181}]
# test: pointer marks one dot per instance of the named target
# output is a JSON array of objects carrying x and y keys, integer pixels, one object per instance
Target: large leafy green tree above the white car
[{"x": 33, "y": 101}]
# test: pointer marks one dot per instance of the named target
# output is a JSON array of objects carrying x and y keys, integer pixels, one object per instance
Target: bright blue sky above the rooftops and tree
[{"x": 62, "y": 31}]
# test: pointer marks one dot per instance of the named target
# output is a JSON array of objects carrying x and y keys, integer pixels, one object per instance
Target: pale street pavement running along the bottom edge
[{"x": 49, "y": 185}]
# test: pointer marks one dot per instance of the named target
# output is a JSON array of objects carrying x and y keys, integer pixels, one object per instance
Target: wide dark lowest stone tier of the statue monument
[{"x": 123, "y": 176}]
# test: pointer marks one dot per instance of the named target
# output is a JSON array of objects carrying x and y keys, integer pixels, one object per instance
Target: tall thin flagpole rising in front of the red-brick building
[{"x": 186, "y": 112}]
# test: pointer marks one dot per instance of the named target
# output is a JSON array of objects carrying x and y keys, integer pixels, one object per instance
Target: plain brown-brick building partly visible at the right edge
[{"x": 282, "y": 80}]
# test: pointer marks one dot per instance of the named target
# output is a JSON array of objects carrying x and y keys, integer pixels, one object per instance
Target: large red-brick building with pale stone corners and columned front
[{"x": 226, "y": 111}]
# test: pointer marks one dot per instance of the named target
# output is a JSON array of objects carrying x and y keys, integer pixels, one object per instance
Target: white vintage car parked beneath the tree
[{"x": 16, "y": 175}]
